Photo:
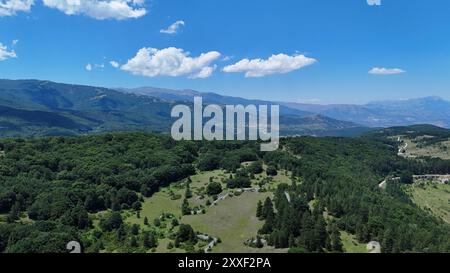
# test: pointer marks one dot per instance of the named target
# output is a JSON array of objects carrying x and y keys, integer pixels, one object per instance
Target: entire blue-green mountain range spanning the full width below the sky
[{"x": 43, "y": 108}]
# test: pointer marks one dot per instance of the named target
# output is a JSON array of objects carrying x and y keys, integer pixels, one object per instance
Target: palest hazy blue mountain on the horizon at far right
[{"x": 429, "y": 110}]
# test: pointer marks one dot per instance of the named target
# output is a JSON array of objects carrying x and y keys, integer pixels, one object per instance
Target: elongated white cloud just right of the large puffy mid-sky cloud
[{"x": 276, "y": 64}]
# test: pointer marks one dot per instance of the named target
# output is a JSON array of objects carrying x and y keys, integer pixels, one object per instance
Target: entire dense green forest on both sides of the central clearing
[{"x": 51, "y": 187}]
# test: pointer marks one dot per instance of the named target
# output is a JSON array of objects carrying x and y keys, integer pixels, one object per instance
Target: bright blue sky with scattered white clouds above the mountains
[{"x": 312, "y": 51}]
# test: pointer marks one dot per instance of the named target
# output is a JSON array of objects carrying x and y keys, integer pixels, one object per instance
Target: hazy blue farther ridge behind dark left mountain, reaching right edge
[{"x": 428, "y": 110}]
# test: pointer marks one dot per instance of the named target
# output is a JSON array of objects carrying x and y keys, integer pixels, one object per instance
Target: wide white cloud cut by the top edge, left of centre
[{"x": 100, "y": 9}]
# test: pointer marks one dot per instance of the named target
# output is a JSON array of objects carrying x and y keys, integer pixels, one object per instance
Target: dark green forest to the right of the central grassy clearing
[{"x": 341, "y": 176}]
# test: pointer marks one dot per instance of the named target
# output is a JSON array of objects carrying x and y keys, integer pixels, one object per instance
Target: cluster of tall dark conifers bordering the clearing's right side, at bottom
[{"x": 292, "y": 223}]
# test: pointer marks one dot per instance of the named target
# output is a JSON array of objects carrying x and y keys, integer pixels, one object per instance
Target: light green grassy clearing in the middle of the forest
[{"x": 233, "y": 220}]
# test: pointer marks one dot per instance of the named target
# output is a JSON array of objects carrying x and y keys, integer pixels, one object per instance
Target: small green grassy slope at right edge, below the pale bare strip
[{"x": 431, "y": 196}]
